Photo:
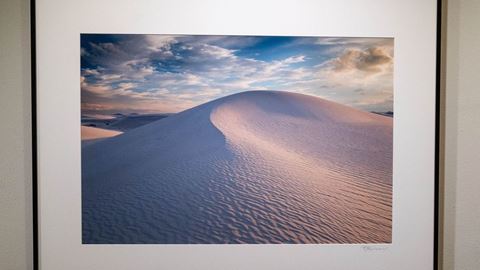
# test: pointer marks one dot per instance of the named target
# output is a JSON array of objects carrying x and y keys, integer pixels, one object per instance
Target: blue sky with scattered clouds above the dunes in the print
[{"x": 167, "y": 74}]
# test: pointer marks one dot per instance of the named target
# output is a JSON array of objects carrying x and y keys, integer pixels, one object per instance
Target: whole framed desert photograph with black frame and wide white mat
[{"x": 235, "y": 135}]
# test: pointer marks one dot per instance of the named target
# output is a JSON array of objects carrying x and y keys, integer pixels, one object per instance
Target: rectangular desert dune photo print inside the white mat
[{"x": 195, "y": 139}]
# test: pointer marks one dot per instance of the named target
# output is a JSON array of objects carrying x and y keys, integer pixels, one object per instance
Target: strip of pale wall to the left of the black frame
[{"x": 15, "y": 146}]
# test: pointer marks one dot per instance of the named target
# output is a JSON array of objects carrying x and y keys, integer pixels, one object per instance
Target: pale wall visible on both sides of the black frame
[{"x": 462, "y": 148}]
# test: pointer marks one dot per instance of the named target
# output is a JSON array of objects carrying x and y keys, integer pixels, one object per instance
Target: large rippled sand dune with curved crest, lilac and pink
[{"x": 254, "y": 167}]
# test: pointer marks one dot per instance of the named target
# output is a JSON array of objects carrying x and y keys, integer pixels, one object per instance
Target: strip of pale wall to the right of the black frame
[{"x": 462, "y": 137}]
